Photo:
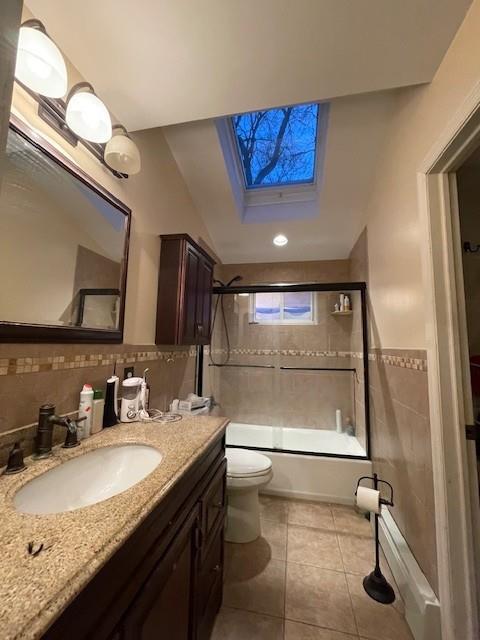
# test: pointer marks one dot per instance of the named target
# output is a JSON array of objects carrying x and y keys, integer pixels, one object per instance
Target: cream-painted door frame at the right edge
[{"x": 455, "y": 501}]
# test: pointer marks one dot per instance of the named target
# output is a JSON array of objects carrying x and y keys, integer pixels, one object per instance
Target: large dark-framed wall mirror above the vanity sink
[{"x": 63, "y": 248}]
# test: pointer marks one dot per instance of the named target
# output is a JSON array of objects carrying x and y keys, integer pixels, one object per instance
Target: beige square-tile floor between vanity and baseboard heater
[{"x": 302, "y": 580}]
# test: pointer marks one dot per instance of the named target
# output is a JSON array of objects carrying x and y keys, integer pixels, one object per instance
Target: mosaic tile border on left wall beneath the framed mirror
[{"x": 15, "y": 366}]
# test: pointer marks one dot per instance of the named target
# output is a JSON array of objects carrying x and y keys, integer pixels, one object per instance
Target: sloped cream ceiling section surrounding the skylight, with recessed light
[{"x": 355, "y": 137}]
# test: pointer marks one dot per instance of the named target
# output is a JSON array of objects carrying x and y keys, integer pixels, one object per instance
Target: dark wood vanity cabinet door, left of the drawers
[{"x": 164, "y": 606}]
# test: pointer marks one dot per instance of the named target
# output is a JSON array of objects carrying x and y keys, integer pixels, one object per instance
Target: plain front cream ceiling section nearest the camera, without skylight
[{"x": 159, "y": 62}]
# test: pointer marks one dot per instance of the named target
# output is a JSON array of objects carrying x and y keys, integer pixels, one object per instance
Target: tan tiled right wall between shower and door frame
[{"x": 400, "y": 433}]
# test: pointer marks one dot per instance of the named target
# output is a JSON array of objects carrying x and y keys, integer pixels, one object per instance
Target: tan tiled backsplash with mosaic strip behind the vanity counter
[{"x": 31, "y": 375}]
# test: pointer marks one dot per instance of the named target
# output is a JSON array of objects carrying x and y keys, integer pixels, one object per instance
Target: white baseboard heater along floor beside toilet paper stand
[{"x": 422, "y": 608}]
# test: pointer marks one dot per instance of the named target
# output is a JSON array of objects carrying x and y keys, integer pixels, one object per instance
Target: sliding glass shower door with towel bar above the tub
[{"x": 287, "y": 369}]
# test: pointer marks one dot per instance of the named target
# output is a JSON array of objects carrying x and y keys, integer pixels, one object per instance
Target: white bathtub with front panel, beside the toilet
[{"x": 298, "y": 475}]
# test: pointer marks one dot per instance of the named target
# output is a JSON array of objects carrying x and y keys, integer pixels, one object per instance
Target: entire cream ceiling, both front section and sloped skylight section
[{"x": 180, "y": 64}]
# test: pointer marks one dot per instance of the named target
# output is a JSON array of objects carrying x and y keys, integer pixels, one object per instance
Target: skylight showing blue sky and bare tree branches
[{"x": 277, "y": 147}]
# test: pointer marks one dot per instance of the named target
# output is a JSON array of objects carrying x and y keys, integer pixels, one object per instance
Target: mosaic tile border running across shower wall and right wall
[{"x": 405, "y": 362}]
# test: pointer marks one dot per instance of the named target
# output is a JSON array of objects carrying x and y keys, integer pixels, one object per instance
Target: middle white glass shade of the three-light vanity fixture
[{"x": 86, "y": 115}]
